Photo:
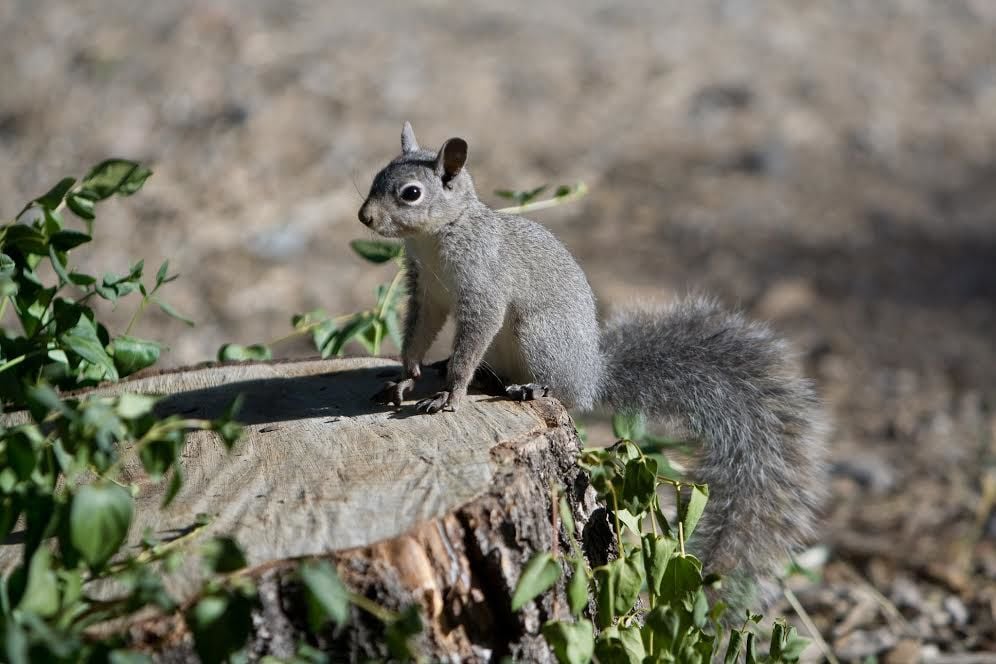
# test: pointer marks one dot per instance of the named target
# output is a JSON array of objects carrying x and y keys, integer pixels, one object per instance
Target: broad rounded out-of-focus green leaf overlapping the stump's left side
[{"x": 99, "y": 521}]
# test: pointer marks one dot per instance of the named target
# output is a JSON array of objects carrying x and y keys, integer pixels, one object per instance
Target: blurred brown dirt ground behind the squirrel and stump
[{"x": 828, "y": 166}]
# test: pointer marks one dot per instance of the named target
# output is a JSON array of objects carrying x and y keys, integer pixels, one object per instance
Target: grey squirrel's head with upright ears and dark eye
[{"x": 420, "y": 191}]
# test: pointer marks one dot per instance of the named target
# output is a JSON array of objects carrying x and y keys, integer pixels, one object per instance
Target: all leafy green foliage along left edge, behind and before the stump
[{"x": 60, "y": 461}]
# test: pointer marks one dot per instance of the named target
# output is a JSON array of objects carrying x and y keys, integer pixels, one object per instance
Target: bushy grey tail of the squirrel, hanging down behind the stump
[{"x": 736, "y": 389}]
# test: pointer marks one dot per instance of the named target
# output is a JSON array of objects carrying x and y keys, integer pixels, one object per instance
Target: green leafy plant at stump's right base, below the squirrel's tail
[{"x": 650, "y": 602}]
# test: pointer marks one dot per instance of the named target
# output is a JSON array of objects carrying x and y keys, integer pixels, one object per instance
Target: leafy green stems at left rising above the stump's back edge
[{"x": 61, "y": 342}]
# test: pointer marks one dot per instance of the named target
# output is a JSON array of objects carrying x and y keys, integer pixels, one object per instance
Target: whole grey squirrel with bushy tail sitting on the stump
[{"x": 523, "y": 308}]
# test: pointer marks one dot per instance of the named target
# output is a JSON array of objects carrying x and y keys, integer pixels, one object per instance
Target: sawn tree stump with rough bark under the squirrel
[{"x": 441, "y": 511}]
